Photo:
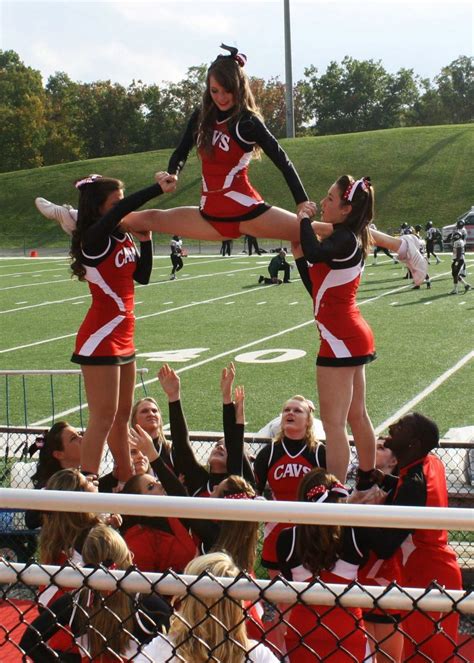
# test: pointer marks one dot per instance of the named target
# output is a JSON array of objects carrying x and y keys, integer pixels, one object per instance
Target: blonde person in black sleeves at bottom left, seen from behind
[{"x": 104, "y": 625}]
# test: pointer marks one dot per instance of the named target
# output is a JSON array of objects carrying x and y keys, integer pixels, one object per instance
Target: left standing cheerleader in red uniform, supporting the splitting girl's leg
[{"x": 107, "y": 259}]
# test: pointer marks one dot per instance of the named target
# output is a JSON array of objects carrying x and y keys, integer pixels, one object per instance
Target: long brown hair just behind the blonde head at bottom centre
[{"x": 238, "y": 539}]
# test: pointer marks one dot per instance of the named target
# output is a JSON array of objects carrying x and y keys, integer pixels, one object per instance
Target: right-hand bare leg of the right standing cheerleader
[{"x": 361, "y": 426}]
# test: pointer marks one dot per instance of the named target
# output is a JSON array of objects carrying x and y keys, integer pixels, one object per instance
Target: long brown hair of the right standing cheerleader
[{"x": 363, "y": 205}]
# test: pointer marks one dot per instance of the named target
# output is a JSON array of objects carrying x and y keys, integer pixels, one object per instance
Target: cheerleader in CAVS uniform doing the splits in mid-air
[{"x": 228, "y": 131}]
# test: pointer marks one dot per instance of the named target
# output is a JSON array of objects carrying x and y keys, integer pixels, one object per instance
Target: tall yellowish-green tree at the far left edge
[{"x": 22, "y": 113}]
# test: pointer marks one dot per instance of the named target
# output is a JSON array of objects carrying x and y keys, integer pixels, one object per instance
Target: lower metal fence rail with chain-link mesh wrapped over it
[{"x": 242, "y": 588}]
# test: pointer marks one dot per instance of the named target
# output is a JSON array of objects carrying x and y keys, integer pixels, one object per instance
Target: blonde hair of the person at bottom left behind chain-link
[{"x": 105, "y": 617}]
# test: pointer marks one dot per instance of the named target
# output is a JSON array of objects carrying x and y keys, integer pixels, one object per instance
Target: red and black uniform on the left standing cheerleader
[{"x": 112, "y": 264}]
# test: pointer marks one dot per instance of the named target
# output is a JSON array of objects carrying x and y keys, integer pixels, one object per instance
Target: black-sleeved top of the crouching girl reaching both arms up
[{"x": 198, "y": 480}]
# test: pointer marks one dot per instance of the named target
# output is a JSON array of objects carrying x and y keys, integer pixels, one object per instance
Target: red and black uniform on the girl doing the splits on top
[{"x": 227, "y": 197}]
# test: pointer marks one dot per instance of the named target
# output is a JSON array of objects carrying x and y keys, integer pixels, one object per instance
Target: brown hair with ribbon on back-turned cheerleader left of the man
[{"x": 318, "y": 546}]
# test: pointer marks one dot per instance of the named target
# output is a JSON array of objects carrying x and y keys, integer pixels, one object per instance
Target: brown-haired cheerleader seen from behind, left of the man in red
[{"x": 332, "y": 554}]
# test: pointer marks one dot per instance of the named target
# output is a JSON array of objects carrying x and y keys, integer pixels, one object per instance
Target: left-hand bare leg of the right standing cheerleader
[{"x": 335, "y": 390}]
